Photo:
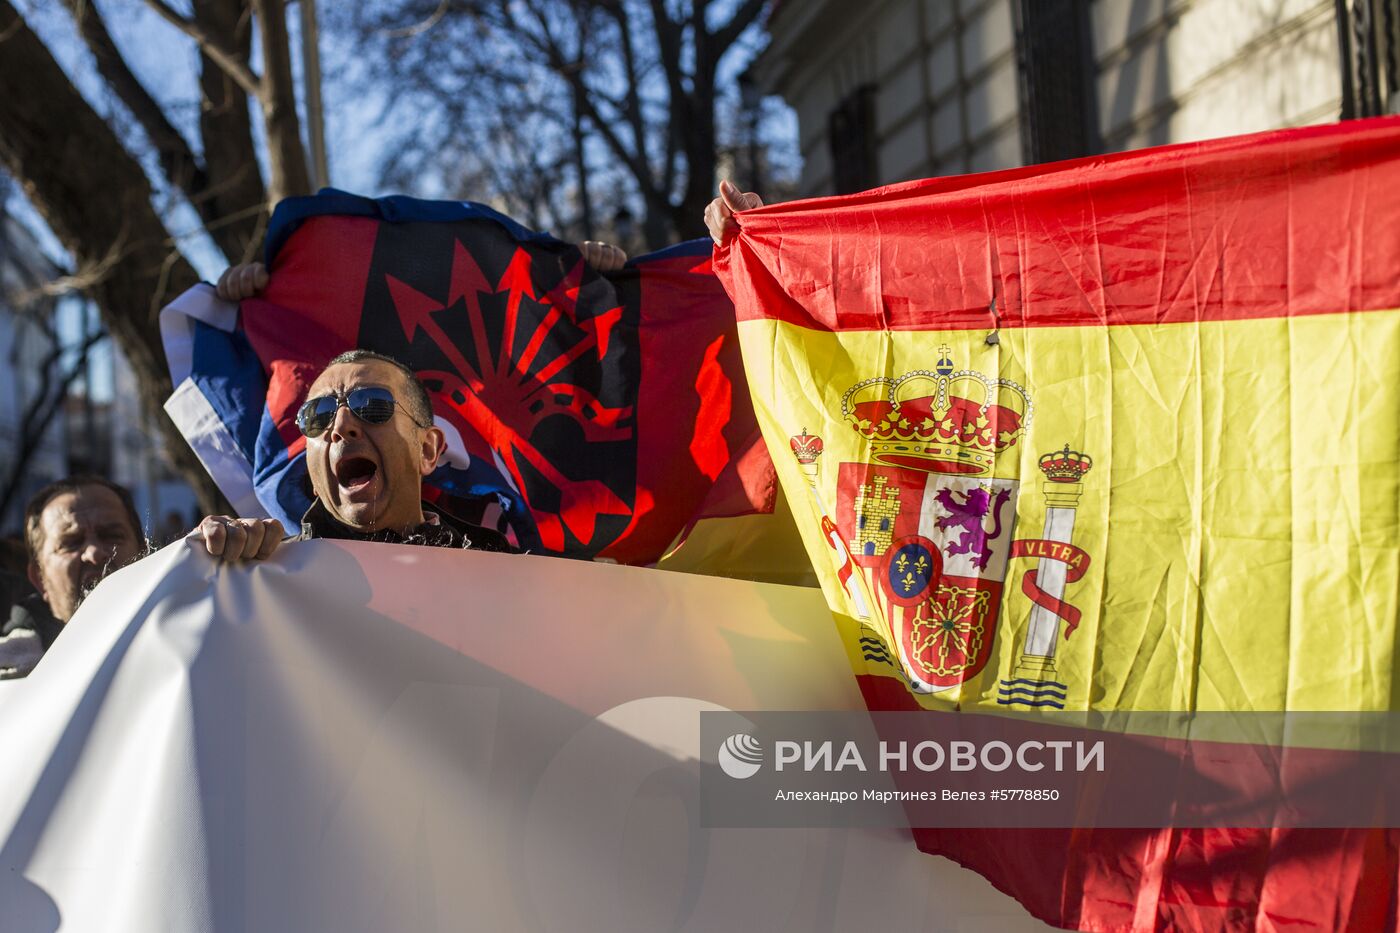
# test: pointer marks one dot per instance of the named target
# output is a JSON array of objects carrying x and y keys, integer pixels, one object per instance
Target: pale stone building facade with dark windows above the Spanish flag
[{"x": 911, "y": 89}]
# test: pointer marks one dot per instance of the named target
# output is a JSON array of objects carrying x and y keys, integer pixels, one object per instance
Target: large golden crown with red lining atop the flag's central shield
[{"x": 940, "y": 421}]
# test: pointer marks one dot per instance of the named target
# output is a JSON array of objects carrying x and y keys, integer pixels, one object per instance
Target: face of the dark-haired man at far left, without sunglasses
[{"x": 86, "y": 536}]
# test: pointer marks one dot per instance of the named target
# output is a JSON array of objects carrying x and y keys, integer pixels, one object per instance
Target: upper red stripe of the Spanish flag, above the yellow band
[{"x": 1268, "y": 226}]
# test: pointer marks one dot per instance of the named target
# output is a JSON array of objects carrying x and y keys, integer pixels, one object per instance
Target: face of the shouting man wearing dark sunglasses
[{"x": 370, "y": 477}]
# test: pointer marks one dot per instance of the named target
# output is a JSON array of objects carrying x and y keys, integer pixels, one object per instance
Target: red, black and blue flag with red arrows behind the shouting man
[{"x": 587, "y": 415}]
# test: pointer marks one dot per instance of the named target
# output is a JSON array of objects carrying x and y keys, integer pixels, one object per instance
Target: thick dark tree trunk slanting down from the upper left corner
[{"x": 97, "y": 201}]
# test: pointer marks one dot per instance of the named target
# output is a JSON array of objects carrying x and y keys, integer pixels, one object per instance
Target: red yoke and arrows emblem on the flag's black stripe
[{"x": 527, "y": 376}]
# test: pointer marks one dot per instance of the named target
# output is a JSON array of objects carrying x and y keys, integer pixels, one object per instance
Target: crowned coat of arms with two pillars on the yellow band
[{"x": 925, "y": 525}]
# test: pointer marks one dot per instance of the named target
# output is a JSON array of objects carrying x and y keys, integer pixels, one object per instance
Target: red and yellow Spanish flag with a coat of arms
[{"x": 1119, "y": 434}]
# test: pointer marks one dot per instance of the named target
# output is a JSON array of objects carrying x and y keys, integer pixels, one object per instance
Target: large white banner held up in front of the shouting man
[{"x": 377, "y": 738}]
